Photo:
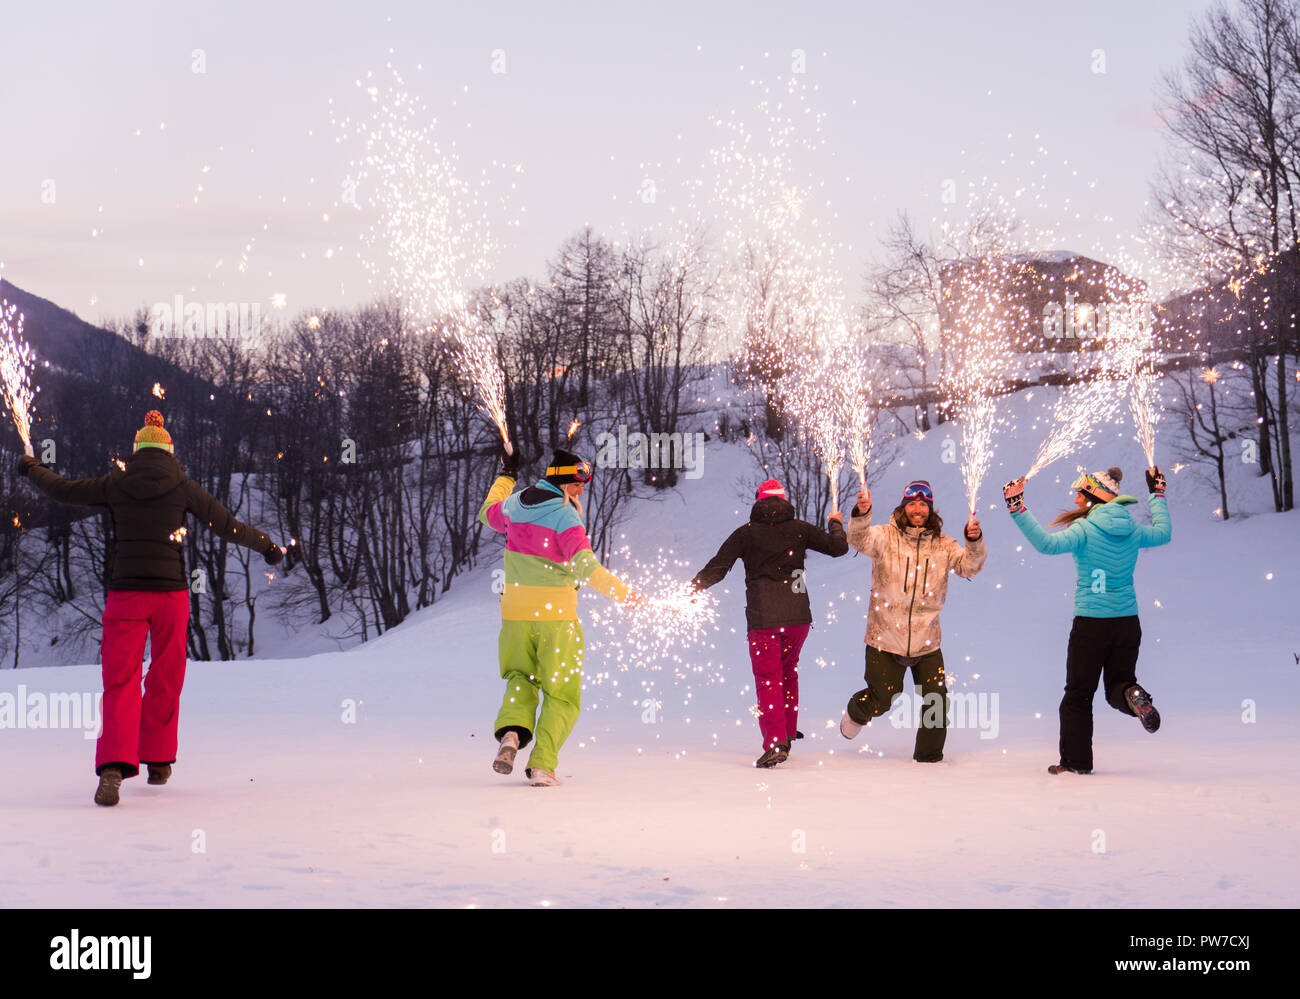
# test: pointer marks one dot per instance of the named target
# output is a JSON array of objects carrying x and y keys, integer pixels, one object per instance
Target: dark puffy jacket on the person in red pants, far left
[{"x": 149, "y": 503}]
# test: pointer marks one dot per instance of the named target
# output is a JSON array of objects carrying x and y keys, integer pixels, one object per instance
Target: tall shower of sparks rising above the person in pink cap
[{"x": 785, "y": 304}]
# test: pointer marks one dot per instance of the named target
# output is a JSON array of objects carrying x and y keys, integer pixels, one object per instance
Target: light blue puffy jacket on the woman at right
[{"x": 1106, "y": 547}]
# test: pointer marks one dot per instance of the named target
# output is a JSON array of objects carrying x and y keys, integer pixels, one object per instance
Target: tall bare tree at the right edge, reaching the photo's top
[{"x": 1232, "y": 115}]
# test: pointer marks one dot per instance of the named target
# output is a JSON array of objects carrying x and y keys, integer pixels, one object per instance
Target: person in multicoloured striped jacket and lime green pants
[{"x": 548, "y": 557}]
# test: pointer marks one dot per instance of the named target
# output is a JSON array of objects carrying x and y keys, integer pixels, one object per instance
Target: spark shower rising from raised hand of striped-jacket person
[{"x": 431, "y": 240}]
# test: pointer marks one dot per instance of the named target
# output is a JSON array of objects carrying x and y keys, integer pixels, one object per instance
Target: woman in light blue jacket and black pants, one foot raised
[{"x": 1104, "y": 540}]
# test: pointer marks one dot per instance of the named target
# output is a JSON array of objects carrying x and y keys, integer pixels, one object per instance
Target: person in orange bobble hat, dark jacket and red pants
[{"x": 149, "y": 596}]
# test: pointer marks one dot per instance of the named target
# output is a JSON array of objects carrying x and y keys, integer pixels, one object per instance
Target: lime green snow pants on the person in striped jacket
[{"x": 541, "y": 658}]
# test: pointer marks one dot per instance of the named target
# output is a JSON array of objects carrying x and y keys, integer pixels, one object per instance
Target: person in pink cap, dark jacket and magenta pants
[{"x": 777, "y": 606}]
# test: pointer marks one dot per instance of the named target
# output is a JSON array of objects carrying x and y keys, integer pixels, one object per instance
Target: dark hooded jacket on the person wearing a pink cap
[{"x": 773, "y": 546}]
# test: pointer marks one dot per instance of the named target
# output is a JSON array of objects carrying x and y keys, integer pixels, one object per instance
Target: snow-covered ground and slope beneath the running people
[{"x": 278, "y": 801}]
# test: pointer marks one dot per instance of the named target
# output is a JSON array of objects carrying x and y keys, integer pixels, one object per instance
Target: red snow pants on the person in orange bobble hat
[{"x": 142, "y": 730}]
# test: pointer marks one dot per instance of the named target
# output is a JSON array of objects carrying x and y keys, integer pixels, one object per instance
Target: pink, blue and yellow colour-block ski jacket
[{"x": 548, "y": 553}]
